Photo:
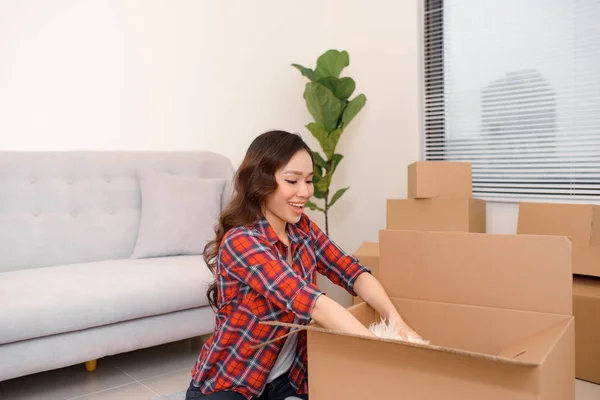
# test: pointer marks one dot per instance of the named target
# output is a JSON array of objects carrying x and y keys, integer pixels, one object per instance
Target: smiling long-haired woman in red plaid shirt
[{"x": 265, "y": 258}]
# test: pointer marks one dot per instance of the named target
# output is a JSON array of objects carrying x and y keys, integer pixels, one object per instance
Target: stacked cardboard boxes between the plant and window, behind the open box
[{"x": 439, "y": 199}]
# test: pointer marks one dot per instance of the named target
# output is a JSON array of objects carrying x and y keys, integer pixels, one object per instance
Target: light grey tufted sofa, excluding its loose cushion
[{"x": 69, "y": 291}]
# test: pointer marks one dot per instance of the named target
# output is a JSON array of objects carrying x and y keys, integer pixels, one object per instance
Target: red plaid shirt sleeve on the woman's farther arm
[{"x": 341, "y": 268}]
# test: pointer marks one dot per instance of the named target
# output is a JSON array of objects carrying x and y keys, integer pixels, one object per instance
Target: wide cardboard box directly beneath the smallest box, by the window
[{"x": 444, "y": 215}]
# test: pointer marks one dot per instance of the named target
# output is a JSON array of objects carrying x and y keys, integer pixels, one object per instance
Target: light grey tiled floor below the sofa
[{"x": 139, "y": 375}]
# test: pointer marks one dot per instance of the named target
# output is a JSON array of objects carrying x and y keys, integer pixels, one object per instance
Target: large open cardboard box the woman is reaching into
[{"x": 496, "y": 308}]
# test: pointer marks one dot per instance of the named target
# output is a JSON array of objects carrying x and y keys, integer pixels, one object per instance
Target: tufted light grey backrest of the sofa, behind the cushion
[{"x": 70, "y": 207}]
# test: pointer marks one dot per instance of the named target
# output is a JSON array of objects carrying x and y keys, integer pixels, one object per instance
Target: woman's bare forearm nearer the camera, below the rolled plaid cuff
[{"x": 331, "y": 315}]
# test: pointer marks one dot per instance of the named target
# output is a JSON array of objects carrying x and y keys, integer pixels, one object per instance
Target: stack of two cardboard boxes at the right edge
[{"x": 581, "y": 223}]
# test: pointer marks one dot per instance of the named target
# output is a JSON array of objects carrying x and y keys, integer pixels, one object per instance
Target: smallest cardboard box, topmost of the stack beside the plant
[{"x": 434, "y": 179}]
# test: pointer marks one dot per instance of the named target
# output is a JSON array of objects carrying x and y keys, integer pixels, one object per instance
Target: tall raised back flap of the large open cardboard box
[{"x": 521, "y": 272}]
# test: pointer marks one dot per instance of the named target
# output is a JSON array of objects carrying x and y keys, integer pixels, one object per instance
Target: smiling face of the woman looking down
[{"x": 295, "y": 187}]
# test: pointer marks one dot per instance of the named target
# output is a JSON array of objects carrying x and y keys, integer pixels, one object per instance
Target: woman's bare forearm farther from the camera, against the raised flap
[{"x": 371, "y": 291}]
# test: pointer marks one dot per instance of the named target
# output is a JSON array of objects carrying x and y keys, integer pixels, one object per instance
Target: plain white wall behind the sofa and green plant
[{"x": 195, "y": 75}]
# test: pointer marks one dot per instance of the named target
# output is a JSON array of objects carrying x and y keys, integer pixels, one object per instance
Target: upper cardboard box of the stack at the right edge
[{"x": 579, "y": 222}]
